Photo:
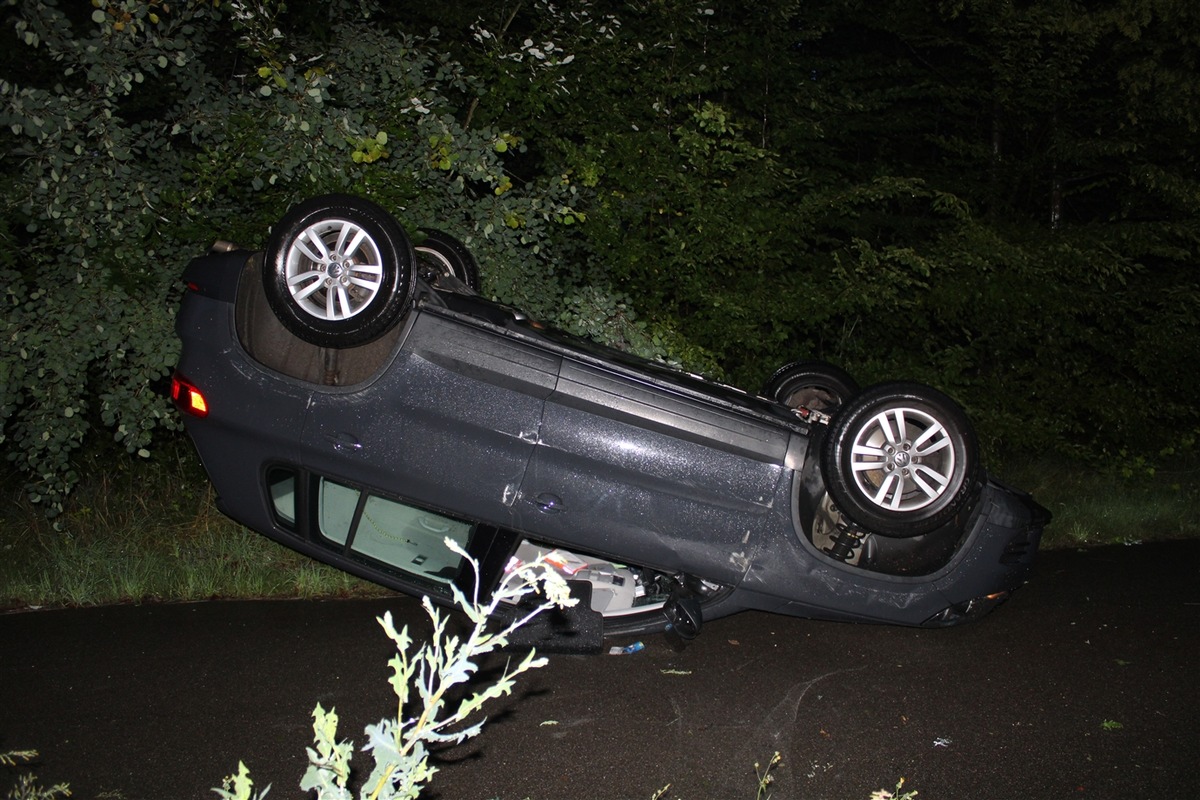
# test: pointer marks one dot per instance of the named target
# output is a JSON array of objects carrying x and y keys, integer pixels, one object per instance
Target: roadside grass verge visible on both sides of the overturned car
[{"x": 140, "y": 532}]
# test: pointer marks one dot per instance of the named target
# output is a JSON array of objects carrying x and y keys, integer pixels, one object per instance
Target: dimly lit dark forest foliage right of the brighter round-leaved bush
[{"x": 999, "y": 200}]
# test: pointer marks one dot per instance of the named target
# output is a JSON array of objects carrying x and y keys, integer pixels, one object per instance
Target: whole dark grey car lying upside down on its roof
[{"x": 355, "y": 399}]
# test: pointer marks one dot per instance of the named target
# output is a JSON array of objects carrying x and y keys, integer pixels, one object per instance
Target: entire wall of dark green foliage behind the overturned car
[{"x": 999, "y": 200}]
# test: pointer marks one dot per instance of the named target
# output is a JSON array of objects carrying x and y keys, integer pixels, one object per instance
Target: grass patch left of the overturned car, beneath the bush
[{"x": 147, "y": 533}]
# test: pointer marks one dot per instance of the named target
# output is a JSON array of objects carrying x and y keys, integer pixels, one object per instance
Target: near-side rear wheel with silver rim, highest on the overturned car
[{"x": 339, "y": 272}]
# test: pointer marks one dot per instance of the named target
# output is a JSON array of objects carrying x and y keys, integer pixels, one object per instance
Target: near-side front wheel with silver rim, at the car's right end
[{"x": 901, "y": 460}]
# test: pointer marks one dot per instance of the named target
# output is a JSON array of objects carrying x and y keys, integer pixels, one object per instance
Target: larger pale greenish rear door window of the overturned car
[{"x": 400, "y": 537}]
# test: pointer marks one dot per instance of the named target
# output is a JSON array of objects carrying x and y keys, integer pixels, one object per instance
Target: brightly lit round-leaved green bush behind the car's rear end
[{"x": 143, "y": 133}]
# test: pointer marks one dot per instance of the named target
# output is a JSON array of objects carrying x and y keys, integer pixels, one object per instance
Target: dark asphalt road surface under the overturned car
[{"x": 1084, "y": 685}]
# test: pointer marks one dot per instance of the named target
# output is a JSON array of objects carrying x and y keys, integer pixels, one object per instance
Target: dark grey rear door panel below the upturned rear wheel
[{"x": 449, "y": 424}]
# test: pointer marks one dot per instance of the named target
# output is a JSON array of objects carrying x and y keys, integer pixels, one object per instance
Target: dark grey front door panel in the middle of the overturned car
[{"x": 634, "y": 471}]
